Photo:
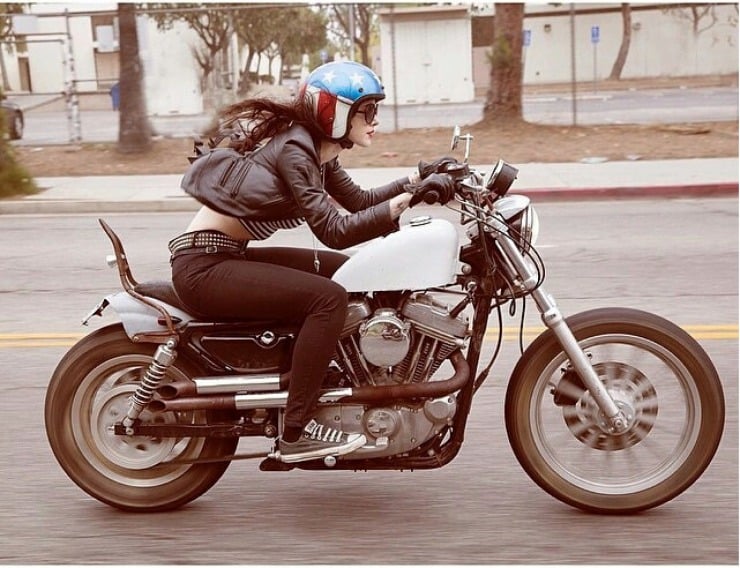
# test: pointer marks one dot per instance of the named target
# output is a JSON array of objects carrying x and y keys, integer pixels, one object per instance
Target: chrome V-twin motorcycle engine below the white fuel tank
[{"x": 386, "y": 346}]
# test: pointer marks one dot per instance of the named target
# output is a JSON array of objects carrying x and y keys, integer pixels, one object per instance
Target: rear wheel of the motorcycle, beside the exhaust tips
[{"x": 89, "y": 394}]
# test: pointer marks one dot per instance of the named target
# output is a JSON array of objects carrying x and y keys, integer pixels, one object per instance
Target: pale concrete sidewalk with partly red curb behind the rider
[{"x": 716, "y": 177}]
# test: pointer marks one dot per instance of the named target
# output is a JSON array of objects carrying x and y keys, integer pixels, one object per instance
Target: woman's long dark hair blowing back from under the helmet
[{"x": 253, "y": 120}]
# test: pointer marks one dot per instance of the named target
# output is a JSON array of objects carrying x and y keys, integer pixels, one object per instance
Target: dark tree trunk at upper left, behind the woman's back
[{"x": 134, "y": 133}]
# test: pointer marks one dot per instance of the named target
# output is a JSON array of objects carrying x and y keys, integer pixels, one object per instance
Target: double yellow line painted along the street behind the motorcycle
[{"x": 28, "y": 340}]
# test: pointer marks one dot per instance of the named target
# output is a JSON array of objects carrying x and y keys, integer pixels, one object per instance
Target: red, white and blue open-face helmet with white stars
[{"x": 335, "y": 90}]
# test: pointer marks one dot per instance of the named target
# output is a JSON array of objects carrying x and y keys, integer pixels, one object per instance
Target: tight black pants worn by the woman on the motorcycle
[{"x": 278, "y": 284}]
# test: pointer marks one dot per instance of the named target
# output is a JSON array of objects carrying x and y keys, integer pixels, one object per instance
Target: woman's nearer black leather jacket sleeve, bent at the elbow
[{"x": 302, "y": 177}]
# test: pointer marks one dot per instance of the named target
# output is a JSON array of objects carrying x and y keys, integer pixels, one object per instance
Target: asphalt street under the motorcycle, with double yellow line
[{"x": 678, "y": 258}]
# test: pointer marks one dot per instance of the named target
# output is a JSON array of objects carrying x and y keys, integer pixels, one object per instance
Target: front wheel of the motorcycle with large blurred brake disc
[{"x": 662, "y": 381}]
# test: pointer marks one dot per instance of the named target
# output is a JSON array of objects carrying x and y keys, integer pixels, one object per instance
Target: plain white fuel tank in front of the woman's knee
[{"x": 421, "y": 255}]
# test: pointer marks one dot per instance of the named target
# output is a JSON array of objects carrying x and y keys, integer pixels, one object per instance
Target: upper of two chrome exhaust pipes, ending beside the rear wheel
[{"x": 222, "y": 385}]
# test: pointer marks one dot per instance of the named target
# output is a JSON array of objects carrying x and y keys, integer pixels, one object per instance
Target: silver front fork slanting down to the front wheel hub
[{"x": 554, "y": 320}]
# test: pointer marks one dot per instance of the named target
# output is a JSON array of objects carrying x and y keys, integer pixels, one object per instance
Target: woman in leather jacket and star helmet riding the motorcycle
[{"x": 298, "y": 144}]
